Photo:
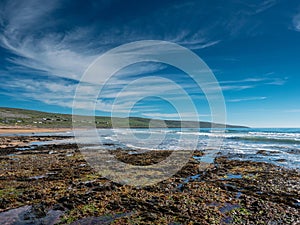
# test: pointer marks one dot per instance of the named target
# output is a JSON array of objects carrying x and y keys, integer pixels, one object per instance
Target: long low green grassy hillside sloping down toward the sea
[{"x": 24, "y": 117}]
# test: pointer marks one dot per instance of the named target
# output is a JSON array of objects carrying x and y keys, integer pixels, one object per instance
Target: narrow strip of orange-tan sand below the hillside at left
[{"x": 13, "y": 130}]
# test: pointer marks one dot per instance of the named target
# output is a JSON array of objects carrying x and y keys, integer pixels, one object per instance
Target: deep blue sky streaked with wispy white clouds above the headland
[{"x": 252, "y": 47}]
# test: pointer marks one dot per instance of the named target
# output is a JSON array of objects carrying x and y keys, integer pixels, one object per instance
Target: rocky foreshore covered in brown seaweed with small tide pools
[{"x": 53, "y": 184}]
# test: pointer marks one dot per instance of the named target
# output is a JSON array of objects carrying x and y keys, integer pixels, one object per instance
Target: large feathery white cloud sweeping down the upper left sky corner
[{"x": 49, "y": 52}]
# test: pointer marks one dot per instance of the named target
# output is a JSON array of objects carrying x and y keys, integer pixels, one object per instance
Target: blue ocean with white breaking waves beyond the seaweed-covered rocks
[{"x": 279, "y": 146}]
